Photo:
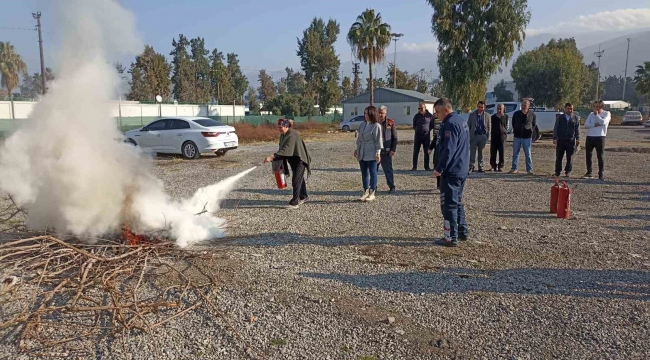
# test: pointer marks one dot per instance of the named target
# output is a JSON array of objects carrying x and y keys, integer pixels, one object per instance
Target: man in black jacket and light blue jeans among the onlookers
[{"x": 523, "y": 123}]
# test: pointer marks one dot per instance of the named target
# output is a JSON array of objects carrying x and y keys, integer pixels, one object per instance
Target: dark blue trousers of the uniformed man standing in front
[{"x": 453, "y": 210}]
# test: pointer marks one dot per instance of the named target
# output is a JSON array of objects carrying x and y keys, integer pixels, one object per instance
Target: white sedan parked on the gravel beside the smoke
[{"x": 186, "y": 135}]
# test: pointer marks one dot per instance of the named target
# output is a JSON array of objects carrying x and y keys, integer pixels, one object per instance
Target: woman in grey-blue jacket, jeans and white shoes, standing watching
[{"x": 368, "y": 152}]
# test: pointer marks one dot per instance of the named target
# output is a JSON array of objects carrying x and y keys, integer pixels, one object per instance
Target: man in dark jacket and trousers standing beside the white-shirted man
[{"x": 566, "y": 136}]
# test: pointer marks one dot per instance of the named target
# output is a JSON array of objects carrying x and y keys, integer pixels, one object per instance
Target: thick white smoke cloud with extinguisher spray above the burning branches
[{"x": 69, "y": 167}]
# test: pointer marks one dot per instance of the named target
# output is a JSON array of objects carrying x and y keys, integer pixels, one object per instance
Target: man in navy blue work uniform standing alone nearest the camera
[{"x": 453, "y": 168}]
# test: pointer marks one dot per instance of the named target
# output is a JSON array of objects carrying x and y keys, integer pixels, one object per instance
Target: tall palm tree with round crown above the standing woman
[{"x": 368, "y": 37}]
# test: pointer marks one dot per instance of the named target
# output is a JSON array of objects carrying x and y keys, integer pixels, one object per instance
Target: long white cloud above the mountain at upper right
[{"x": 622, "y": 19}]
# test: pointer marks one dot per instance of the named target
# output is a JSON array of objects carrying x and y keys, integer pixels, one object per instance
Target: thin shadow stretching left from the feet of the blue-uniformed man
[{"x": 283, "y": 239}]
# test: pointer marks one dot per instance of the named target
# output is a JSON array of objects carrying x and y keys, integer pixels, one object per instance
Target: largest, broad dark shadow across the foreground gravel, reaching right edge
[{"x": 616, "y": 284}]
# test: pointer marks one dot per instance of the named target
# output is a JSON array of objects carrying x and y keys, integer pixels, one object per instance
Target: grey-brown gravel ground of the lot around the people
[{"x": 340, "y": 279}]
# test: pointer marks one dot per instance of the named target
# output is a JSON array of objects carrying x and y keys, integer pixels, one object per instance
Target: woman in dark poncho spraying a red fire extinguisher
[{"x": 293, "y": 152}]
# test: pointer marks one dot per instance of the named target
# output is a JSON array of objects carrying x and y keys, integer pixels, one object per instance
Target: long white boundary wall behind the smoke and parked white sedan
[{"x": 132, "y": 109}]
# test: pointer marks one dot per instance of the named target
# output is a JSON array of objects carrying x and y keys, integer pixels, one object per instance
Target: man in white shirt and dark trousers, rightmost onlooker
[{"x": 597, "y": 123}]
